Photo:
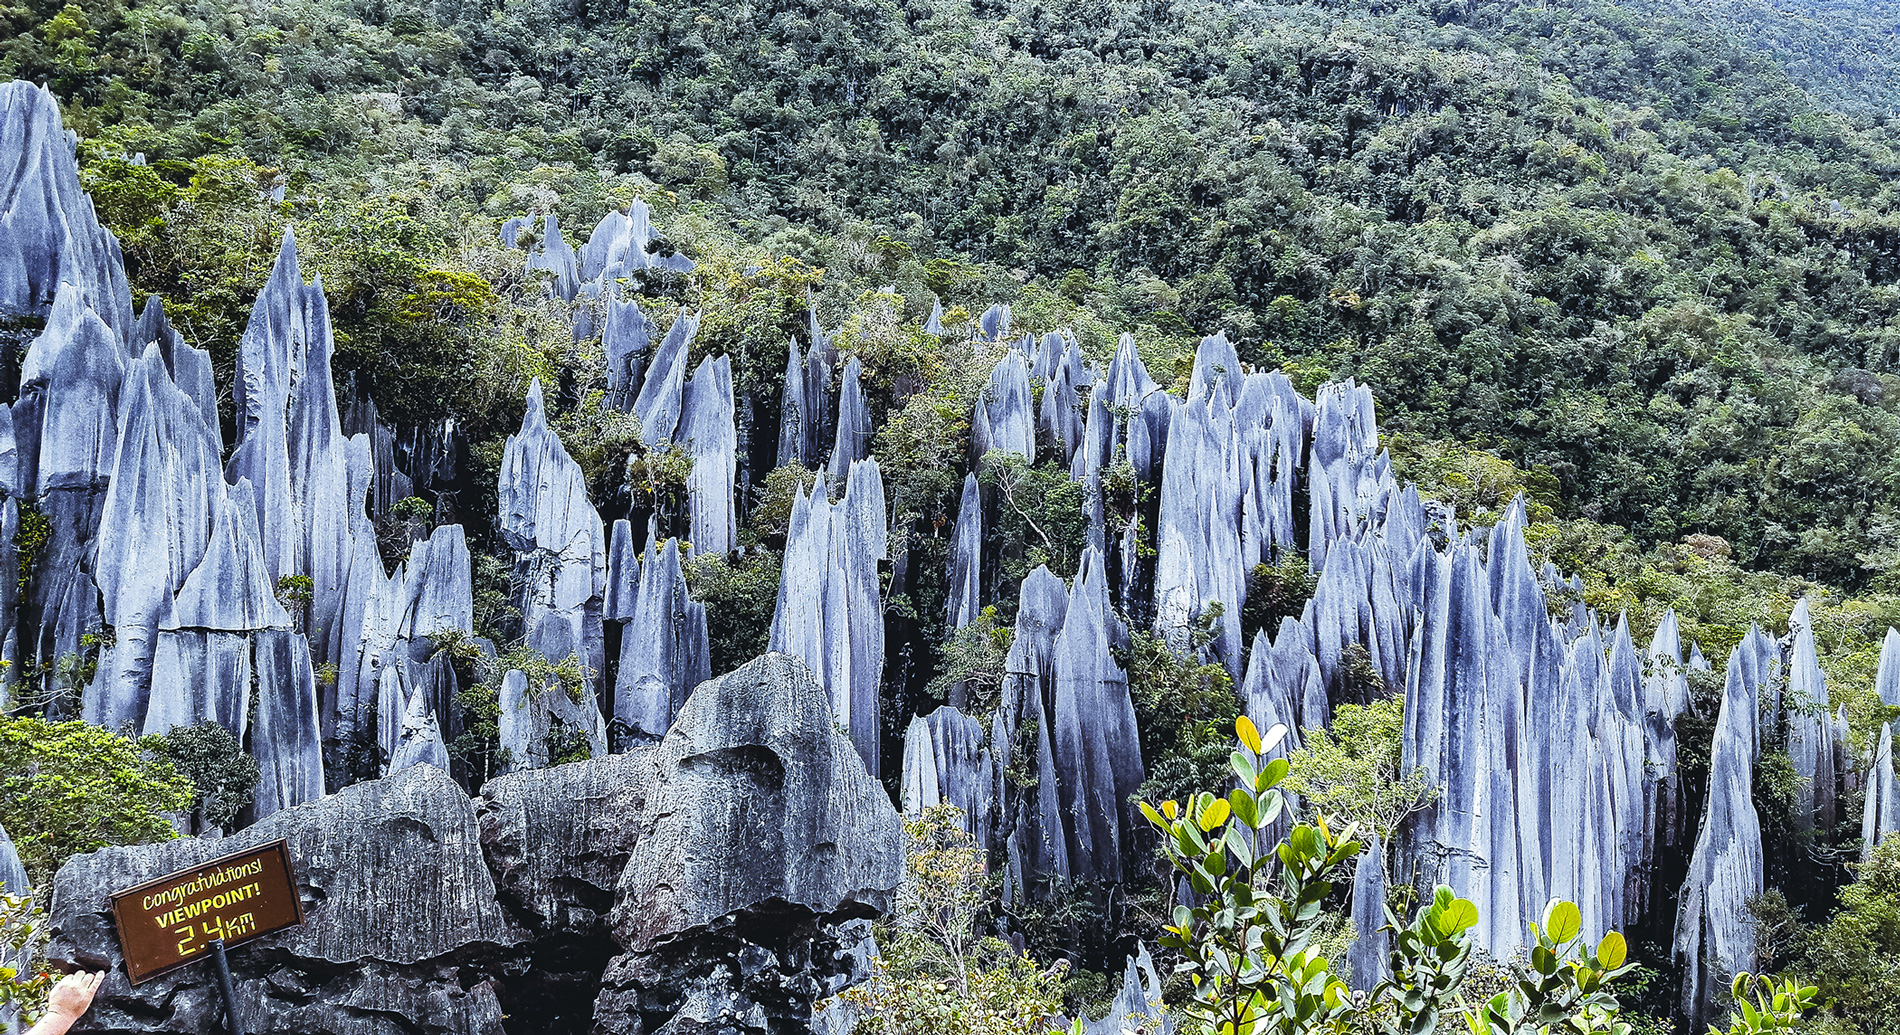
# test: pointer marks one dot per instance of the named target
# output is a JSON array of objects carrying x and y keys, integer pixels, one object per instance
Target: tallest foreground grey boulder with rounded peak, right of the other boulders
[{"x": 761, "y": 831}]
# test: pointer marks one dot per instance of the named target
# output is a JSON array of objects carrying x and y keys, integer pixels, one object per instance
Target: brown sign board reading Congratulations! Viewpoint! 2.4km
[{"x": 172, "y": 922}]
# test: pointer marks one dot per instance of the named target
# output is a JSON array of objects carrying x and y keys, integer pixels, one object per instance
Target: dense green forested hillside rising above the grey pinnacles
[{"x": 1618, "y": 248}]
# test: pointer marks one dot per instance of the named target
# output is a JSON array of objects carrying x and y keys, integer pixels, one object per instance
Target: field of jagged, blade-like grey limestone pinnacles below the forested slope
[{"x": 252, "y": 592}]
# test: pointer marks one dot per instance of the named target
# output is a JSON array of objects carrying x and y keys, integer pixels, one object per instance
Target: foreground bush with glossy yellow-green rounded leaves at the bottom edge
[{"x": 1249, "y": 943}]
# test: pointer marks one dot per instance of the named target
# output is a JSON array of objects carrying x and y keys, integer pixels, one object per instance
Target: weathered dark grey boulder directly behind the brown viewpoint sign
[{"x": 402, "y": 930}]
